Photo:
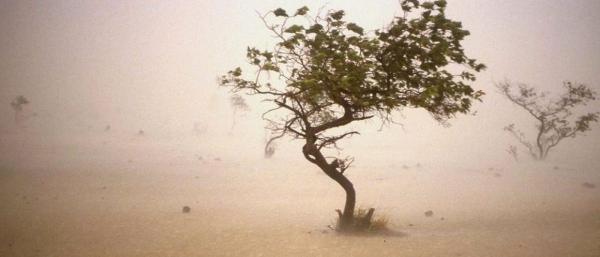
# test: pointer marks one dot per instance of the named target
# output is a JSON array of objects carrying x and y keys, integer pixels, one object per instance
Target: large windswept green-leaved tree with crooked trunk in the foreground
[{"x": 325, "y": 73}]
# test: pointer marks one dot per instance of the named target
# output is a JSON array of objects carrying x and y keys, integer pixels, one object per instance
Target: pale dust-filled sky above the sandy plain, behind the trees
[{"x": 154, "y": 64}]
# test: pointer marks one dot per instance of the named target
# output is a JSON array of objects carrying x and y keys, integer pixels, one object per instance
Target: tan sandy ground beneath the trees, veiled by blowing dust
[{"x": 99, "y": 198}]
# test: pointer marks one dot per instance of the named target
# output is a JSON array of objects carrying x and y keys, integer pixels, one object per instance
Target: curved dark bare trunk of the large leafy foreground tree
[{"x": 312, "y": 154}]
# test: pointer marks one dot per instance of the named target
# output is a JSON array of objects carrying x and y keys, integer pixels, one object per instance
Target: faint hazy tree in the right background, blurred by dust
[{"x": 553, "y": 117}]
